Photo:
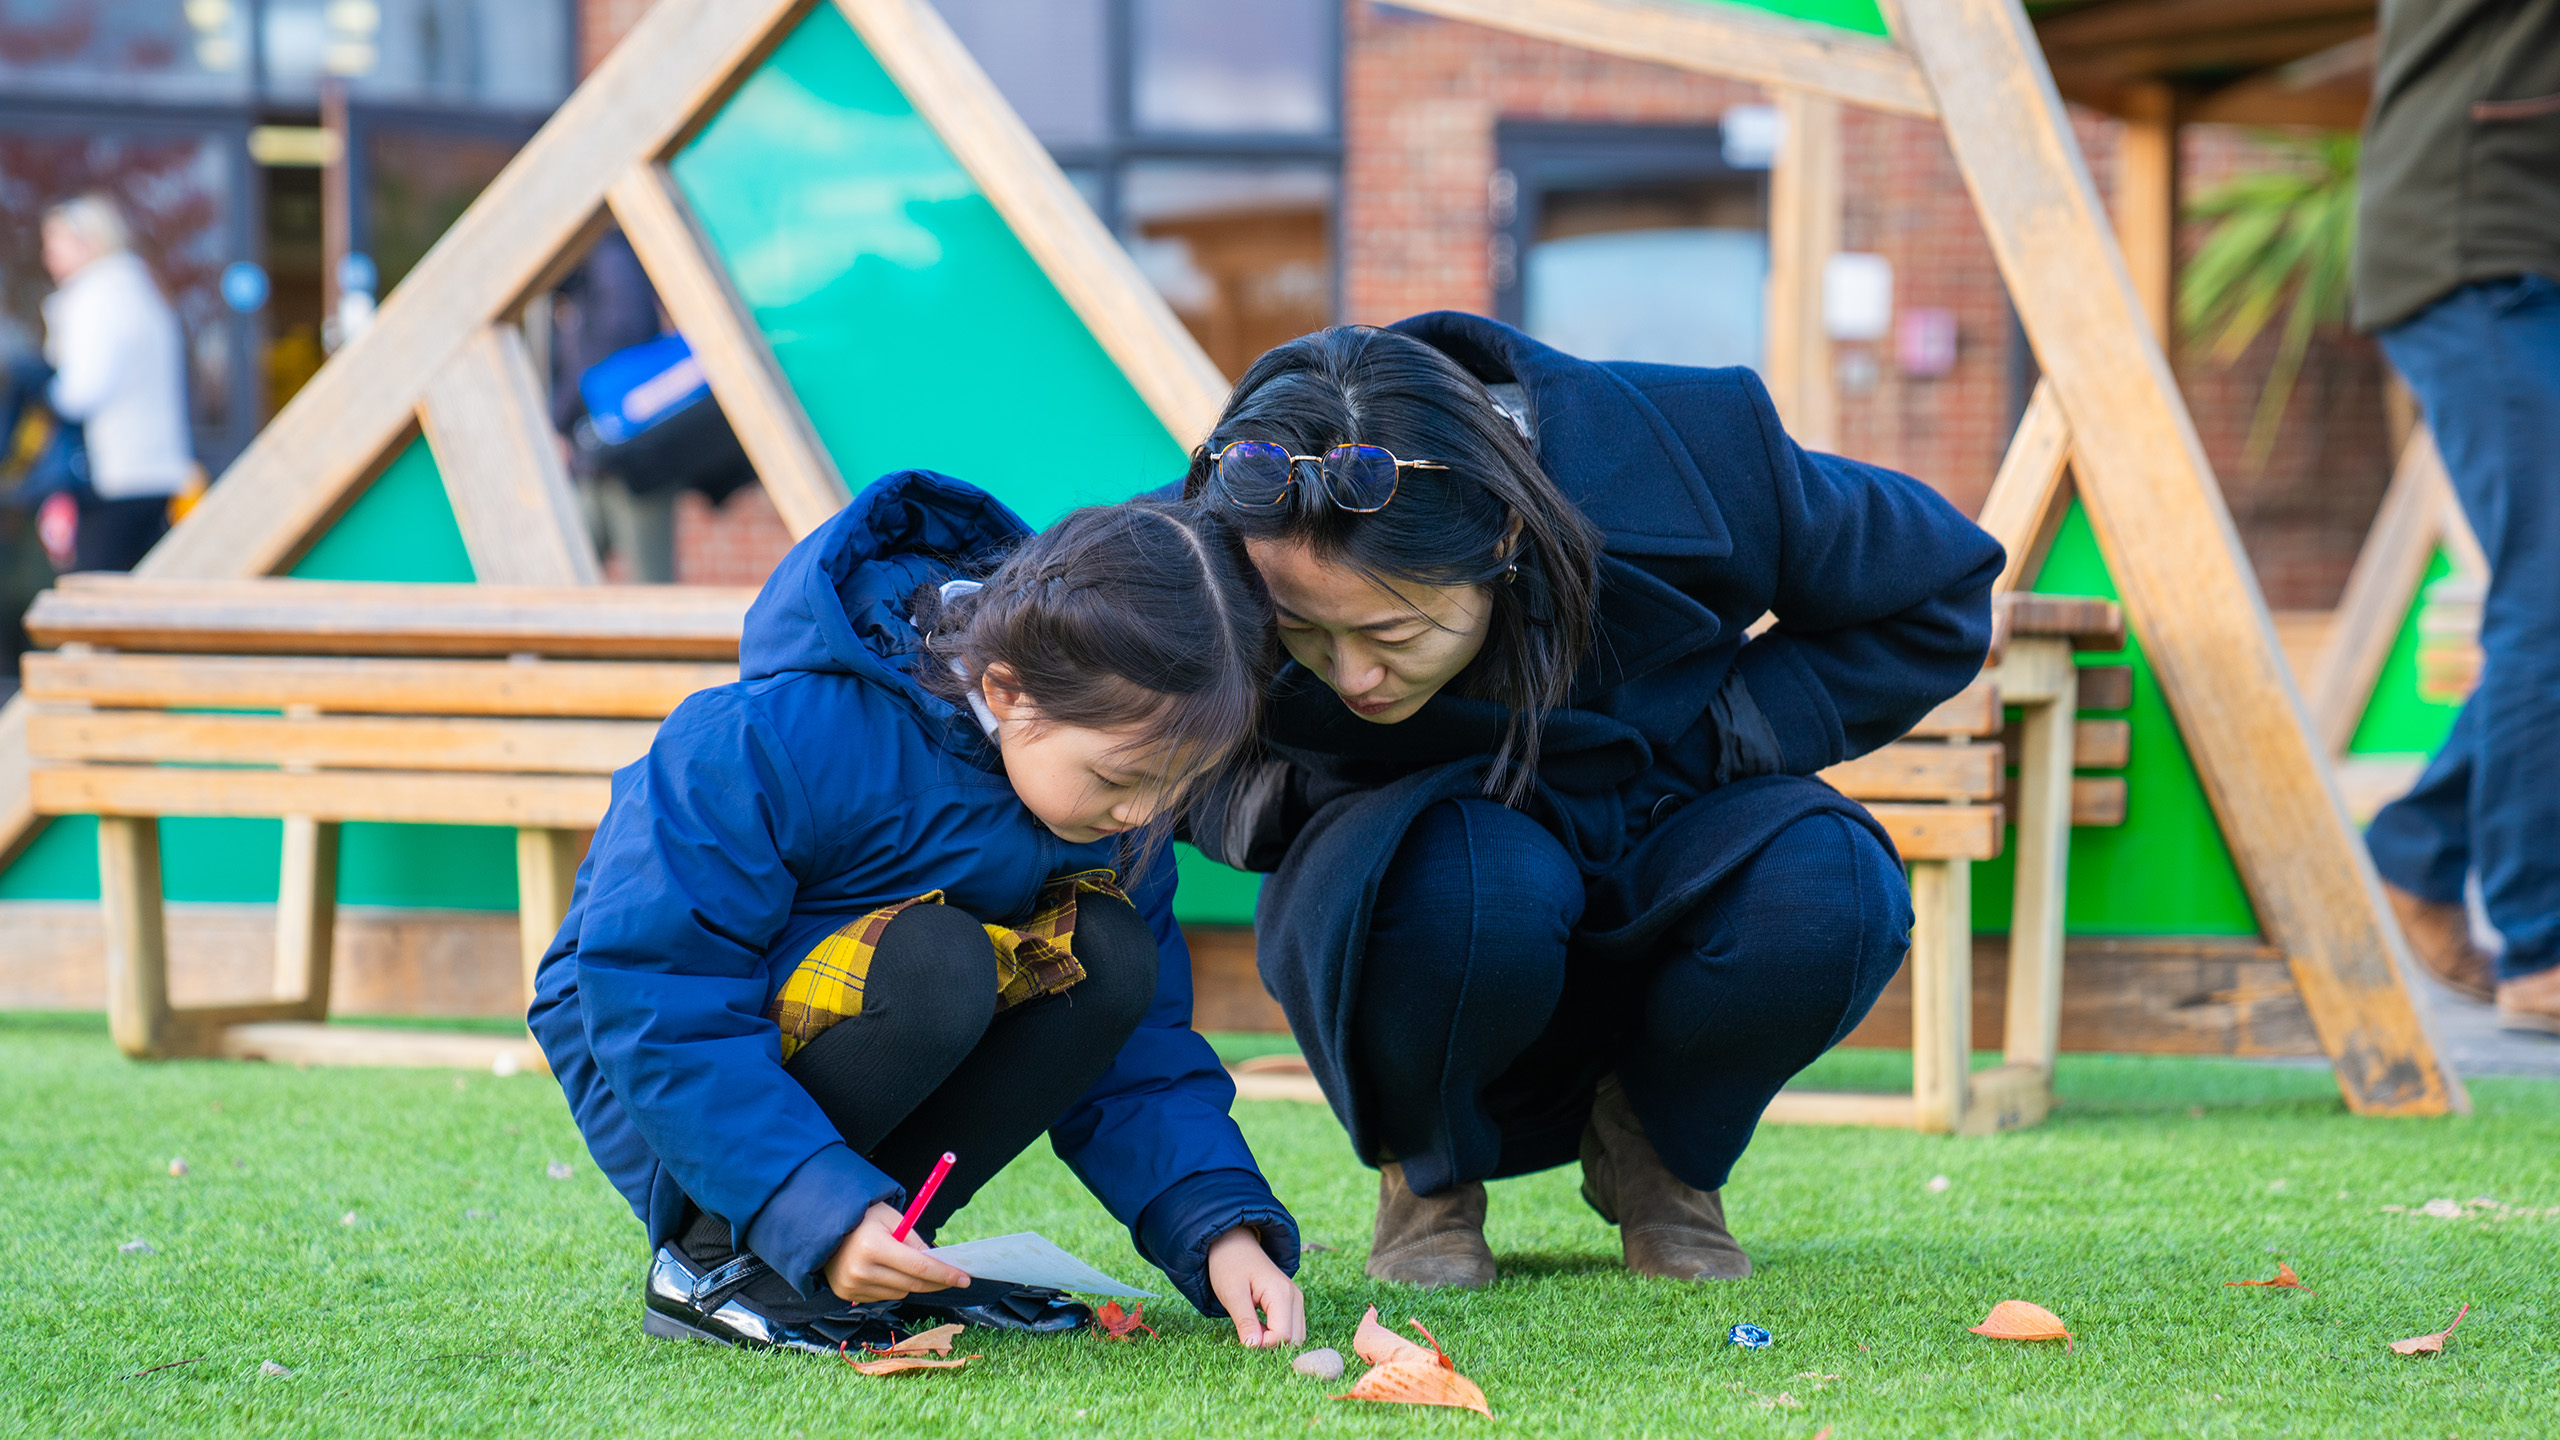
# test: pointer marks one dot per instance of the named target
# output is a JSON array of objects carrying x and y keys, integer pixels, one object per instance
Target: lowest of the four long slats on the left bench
[{"x": 539, "y": 801}]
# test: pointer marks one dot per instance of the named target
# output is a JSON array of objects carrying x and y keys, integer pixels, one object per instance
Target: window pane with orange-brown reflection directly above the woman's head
[{"x": 1243, "y": 252}]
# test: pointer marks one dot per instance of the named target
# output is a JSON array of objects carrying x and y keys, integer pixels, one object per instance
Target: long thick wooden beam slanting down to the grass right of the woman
[{"x": 2175, "y": 555}]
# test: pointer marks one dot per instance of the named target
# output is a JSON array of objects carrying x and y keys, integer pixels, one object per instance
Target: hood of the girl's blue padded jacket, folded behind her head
[{"x": 838, "y": 603}]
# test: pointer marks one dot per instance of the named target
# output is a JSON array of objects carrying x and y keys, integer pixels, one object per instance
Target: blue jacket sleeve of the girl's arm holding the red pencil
[{"x": 690, "y": 885}]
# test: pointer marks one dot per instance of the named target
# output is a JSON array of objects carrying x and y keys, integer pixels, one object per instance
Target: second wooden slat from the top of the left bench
[{"x": 636, "y": 691}]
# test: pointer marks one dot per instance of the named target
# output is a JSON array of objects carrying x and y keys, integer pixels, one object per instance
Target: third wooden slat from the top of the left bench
[{"x": 342, "y": 742}]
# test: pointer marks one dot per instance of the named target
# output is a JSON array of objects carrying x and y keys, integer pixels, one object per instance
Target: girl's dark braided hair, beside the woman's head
[{"x": 1143, "y": 614}]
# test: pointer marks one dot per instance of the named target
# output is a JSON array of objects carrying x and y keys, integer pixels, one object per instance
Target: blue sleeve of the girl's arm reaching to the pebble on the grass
[{"x": 1156, "y": 1139}]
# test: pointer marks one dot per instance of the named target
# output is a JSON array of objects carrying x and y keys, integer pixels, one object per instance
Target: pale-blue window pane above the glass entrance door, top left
[{"x": 503, "y": 55}]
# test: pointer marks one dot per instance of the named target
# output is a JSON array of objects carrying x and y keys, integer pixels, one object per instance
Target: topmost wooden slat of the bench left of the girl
[{"x": 316, "y": 616}]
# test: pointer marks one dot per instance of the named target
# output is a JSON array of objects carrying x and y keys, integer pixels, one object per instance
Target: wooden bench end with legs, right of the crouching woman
[{"x": 1939, "y": 796}]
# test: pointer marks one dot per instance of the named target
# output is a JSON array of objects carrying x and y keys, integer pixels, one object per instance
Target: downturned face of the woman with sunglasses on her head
[{"x": 1384, "y": 644}]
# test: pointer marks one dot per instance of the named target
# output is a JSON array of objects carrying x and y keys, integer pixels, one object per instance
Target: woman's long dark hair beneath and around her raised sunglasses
[{"x": 1448, "y": 527}]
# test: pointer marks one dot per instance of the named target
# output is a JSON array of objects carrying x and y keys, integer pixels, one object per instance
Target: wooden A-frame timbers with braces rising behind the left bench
[{"x": 447, "y": 355}]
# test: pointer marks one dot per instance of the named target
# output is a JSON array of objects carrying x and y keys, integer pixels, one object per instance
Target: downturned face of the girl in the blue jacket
[{"x": 1084, "y": 785}]
